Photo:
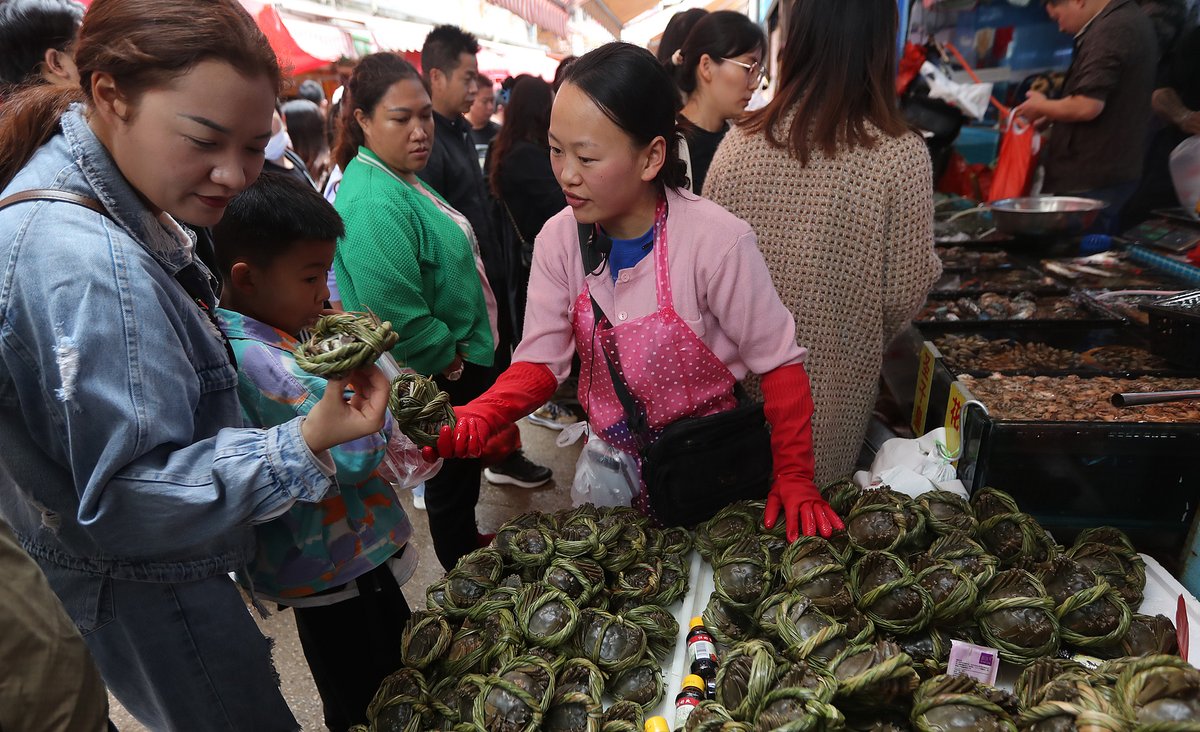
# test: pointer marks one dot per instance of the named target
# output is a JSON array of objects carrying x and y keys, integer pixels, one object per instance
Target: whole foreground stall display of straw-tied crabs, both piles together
[{"x": 580, "y": 621}]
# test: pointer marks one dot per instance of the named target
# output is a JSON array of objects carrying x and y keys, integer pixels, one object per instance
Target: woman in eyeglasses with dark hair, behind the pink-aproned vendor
[{"x": 718, "y": 69}]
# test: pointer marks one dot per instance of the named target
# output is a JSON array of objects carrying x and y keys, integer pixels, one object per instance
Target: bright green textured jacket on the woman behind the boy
[{"x": 411, "y": 265}]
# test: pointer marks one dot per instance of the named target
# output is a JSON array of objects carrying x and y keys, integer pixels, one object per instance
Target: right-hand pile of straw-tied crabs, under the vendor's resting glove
[{"x": 855, "y": 633}]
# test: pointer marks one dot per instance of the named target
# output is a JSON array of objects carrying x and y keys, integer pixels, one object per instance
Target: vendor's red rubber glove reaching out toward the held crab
[{"x": 521, "y": 389}]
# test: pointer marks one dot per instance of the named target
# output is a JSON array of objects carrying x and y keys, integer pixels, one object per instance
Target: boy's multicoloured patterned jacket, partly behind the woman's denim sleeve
[{"x": 314, "y": 548}]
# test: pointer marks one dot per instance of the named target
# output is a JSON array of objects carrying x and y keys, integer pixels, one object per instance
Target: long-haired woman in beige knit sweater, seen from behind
[{"x": 841, "y": 195}]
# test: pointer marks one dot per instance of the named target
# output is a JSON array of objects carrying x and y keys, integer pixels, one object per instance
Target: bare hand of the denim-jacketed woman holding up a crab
[{"x": 335, "y": 419}]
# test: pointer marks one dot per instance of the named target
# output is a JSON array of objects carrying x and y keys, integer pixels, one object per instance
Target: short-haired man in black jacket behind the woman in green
[{"x": 452, "y": 71}]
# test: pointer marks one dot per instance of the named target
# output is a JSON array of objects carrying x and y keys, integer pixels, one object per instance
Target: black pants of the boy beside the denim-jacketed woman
[{"x": 352, "y": 646}]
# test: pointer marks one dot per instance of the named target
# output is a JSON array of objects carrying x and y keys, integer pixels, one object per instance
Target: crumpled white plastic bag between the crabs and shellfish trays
[{"x": 914, "y": 466}]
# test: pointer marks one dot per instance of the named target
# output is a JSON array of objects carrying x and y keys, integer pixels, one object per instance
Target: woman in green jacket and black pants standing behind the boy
[{"x": 415, "y": 261}]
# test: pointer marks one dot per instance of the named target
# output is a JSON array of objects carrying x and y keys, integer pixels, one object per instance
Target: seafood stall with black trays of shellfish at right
[{"x": 1019, "y": 350}]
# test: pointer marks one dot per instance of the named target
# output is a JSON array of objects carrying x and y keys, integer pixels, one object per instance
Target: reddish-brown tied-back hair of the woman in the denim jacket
[{"x": 143, "y": 45}]
